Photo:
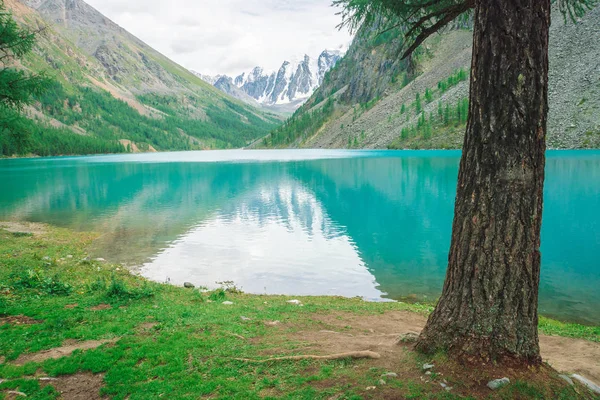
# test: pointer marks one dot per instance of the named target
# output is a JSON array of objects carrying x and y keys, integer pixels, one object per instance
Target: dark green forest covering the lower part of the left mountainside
[{"x": 106, "y": 119}]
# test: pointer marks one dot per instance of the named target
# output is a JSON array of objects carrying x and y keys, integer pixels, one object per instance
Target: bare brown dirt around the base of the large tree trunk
[{"x": 344, "y": 332}]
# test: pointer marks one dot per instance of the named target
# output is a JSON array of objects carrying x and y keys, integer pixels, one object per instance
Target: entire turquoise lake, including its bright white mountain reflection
[{"x": 374, "y": 224}]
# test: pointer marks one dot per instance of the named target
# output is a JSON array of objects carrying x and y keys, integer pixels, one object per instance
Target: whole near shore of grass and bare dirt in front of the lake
[{"x": 89, "y": 328}]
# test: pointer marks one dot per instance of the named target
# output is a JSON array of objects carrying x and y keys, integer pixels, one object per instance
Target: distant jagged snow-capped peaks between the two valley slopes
[{"x": 293, "y": 83}]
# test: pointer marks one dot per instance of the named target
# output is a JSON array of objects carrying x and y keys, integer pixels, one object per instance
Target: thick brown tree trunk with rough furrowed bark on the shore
[{"x": 488, "y": 307}]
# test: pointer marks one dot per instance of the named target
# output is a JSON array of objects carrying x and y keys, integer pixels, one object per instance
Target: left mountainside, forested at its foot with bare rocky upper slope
[{"x": 110, "y": 92}]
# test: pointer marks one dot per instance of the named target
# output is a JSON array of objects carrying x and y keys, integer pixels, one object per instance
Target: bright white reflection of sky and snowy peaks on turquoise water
[{"x": 276, "y": 239}]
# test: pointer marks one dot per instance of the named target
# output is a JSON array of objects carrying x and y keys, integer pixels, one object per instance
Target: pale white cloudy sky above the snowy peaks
[{"x": 230, "y": 36}]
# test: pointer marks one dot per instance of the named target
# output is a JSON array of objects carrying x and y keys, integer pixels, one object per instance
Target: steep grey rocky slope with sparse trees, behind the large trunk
[{"x": 373, "y": 100}]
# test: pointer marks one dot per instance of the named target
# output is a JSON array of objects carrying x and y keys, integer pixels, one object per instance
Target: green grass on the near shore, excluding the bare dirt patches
[{"x": 189, "y": 349}]
